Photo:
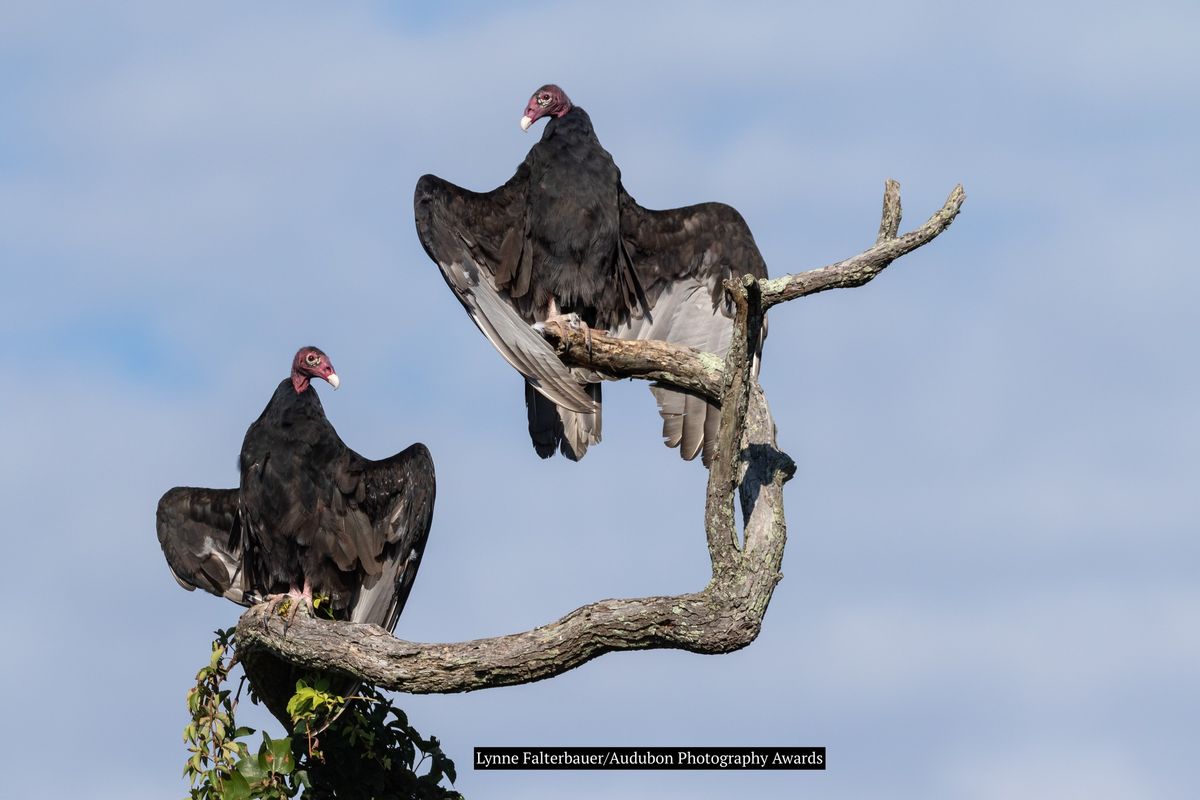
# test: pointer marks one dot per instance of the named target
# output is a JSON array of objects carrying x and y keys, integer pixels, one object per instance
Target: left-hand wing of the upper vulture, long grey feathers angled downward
[{"x": 481, "y": 243}]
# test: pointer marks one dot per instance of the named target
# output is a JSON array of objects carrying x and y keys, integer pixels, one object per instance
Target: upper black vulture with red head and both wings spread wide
[{"x": 563, "y": 238}]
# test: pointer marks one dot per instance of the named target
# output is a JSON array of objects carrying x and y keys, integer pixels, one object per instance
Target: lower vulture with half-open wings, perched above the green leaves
[{"x": 311, "y": 518}]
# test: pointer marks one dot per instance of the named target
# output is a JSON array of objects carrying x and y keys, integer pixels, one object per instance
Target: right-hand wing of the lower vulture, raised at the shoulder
[{"x": 397, "y": 496}]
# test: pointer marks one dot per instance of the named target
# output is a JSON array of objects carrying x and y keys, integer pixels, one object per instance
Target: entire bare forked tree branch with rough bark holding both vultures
[{"x": 724, "y": 616}]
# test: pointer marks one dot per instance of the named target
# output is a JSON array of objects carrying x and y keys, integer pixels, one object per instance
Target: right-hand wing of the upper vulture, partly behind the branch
[{"x": 682, "y": 258}]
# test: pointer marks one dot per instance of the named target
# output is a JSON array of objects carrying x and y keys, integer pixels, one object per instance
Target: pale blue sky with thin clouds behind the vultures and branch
[{"x": 991, "y": 585}]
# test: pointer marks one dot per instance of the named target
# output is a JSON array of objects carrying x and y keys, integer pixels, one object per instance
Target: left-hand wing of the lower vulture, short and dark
[{"x": 201, "y": 536}]
